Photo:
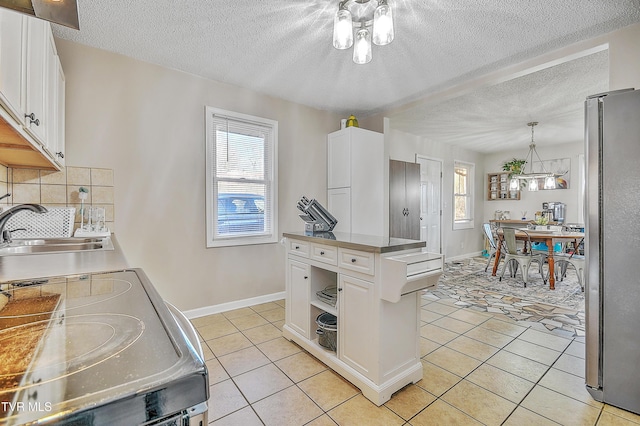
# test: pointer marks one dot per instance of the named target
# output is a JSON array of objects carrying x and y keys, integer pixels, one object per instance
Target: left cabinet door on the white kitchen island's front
[{"x": 297, "y": 316}]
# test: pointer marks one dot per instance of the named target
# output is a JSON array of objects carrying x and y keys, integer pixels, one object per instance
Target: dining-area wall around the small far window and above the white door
[{"x": 403, "y": 146}]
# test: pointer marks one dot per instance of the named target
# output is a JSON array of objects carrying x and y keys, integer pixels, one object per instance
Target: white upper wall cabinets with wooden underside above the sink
[{"x": 31, "y": 94}]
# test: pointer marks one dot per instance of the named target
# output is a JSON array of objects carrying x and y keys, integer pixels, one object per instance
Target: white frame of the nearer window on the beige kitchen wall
[{"x": 211, "y": 196}]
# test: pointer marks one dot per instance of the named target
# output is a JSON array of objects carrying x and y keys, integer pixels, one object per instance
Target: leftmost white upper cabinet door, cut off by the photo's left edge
[{"x": 12, "y": 25}]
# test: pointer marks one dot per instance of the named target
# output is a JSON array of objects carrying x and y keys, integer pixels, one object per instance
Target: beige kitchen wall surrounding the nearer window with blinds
[{"x": 147, "y": 124}]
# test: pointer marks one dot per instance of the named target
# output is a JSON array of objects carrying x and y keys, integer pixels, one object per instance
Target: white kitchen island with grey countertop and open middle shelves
[{"x": 378, "y": 283}]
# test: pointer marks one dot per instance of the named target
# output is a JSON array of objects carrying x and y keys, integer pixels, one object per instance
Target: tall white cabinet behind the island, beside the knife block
[{"x": 356, "y": 162}]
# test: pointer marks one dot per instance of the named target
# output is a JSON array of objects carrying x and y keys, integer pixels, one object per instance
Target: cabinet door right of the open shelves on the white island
[{"x": 355, "y": 325}]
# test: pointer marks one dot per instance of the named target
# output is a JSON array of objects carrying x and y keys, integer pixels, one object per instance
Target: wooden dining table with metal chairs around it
[{"x": 546, "y": 236}]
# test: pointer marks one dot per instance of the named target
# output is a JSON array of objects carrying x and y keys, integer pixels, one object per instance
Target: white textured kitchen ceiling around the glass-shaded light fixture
[{"x": 283, "y": 48}]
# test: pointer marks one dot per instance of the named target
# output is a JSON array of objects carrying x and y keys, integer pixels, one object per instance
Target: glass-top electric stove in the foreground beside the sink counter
[{"x": 76, "y": 348}]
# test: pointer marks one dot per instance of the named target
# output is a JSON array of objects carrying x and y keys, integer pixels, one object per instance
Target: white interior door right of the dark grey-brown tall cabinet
[{"x": 430, "y": 202}]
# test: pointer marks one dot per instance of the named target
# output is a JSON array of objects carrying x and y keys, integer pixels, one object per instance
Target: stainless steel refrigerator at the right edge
[{"x": 612, "y": 248}]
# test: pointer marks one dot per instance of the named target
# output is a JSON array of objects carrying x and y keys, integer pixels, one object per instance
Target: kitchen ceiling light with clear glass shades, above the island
[{"x": 361, "y": 16}]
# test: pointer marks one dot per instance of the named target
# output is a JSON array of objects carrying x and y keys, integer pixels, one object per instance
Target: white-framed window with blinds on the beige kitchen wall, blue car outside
[{"x": 241, "y": 179}]
